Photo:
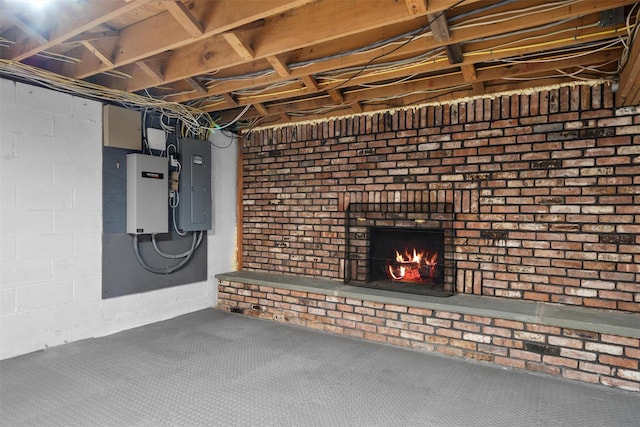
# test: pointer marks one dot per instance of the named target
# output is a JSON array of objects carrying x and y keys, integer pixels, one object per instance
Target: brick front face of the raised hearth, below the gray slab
[{"x": 576, "y": 354}]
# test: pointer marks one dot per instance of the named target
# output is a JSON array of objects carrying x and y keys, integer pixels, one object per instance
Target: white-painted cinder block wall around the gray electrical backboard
[{"x": 51, "y": 225}]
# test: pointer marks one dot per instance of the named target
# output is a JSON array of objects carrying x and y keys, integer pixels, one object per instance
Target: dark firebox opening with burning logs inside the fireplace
[{"x": 406, "y": 259}]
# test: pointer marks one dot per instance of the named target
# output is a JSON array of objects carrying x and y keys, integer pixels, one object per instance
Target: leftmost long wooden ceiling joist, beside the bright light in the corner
[{"x": 68, "y": 23}]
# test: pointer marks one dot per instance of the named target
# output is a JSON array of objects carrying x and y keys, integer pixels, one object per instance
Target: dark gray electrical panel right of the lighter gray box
[{"x": 194, "y": 209}]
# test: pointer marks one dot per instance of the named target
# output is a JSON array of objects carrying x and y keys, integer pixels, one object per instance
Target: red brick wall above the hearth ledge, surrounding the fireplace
[{"x": 546, "y": 190}]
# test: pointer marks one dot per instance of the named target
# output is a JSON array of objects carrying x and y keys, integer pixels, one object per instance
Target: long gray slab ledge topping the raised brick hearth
[{"x": 588, "y": 319}]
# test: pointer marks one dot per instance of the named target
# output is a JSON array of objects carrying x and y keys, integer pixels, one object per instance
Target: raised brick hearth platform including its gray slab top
[{"x": 591, "y": 345}]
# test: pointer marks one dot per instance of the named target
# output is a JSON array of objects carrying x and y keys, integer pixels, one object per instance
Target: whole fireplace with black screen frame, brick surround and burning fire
[{"x": 402, "y": 247}]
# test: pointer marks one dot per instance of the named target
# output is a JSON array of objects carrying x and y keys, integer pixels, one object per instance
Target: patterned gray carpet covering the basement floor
[{"x": 215, "y": 368}]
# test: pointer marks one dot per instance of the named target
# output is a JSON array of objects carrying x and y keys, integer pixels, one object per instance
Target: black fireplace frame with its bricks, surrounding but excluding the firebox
[{"x": 360, "y": 218}]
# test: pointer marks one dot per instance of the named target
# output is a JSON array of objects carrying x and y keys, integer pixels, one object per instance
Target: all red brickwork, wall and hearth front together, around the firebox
[{"x": 544, "y": 197}]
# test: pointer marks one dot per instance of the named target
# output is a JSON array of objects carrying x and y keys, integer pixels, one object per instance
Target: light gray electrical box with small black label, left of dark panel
[{"x": 147, "y": 194}]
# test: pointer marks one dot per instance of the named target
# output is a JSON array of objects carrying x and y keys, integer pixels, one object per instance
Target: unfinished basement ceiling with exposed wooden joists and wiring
[{"x": 278, "y": 61}]
